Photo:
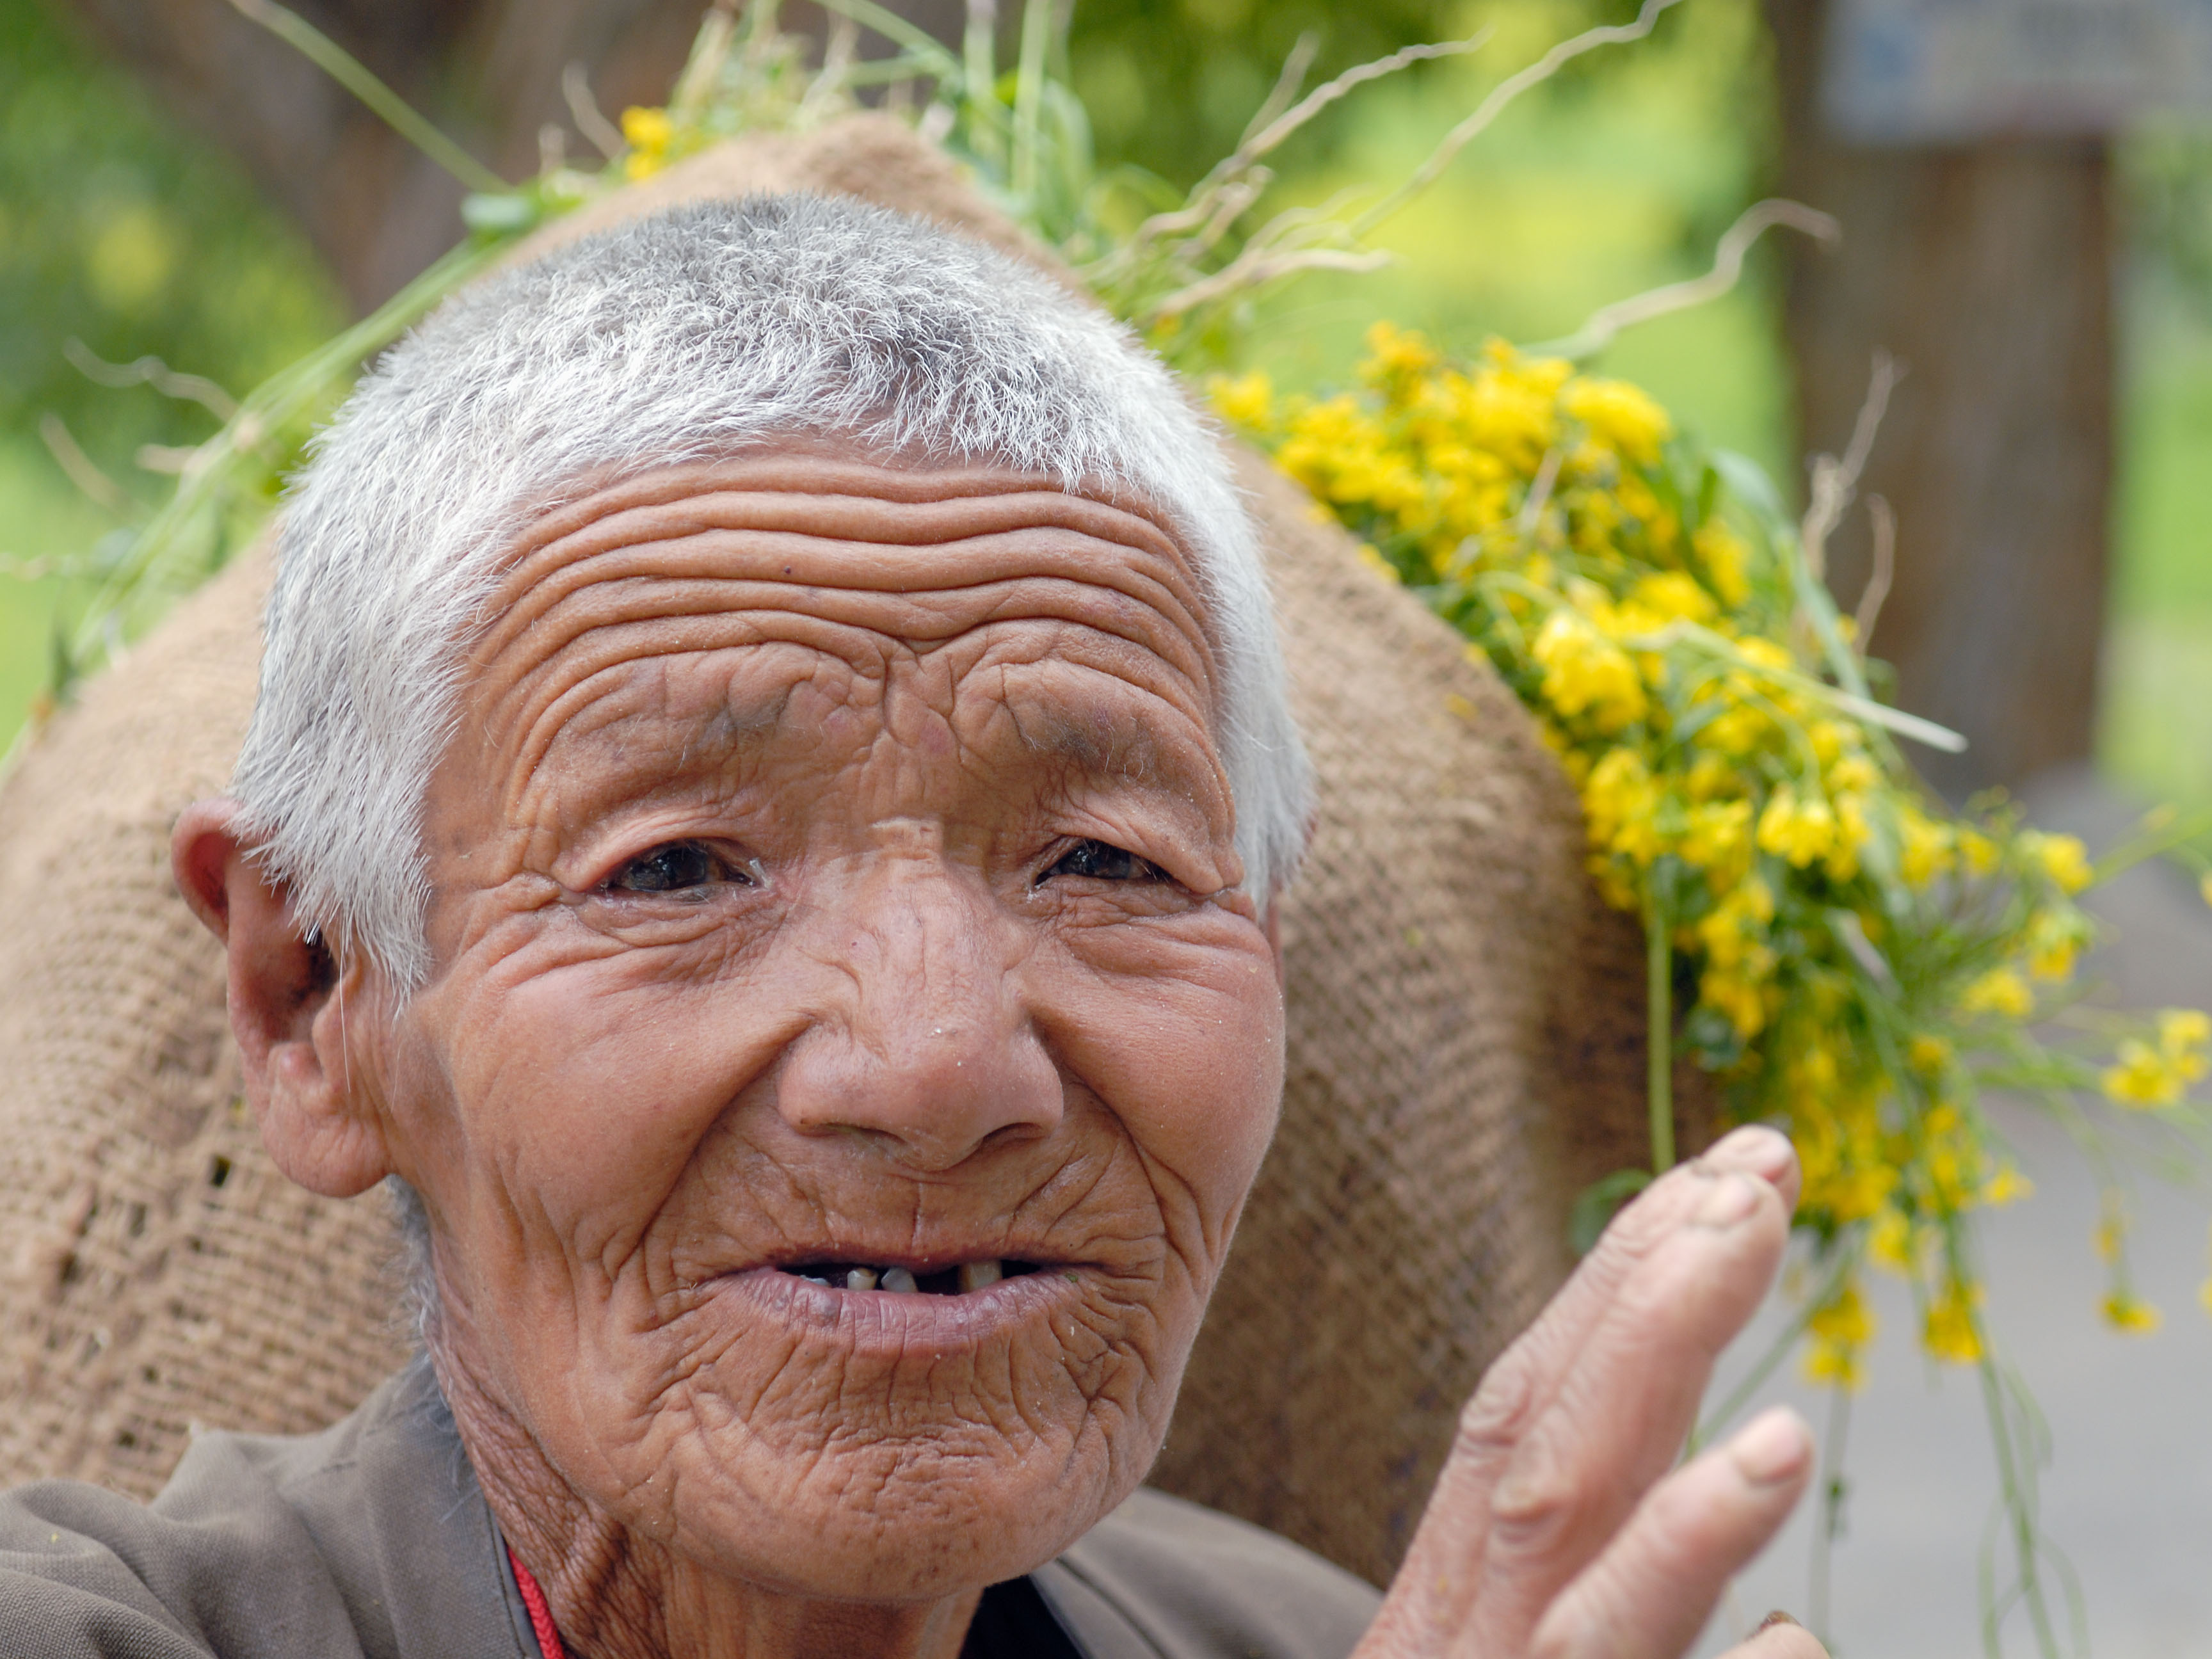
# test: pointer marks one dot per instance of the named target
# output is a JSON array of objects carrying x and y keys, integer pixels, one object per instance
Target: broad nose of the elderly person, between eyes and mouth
[{"x": 928, "y": 1045}]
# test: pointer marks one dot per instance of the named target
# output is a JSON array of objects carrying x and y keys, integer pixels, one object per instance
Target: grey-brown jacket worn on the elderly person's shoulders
[{"x": 373, "y": 1541}]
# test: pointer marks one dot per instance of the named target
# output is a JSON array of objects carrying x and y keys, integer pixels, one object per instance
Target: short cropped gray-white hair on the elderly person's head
[{"x": 696, "y": 335}]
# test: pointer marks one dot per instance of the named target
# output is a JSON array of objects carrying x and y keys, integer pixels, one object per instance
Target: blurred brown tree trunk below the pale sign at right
[{"x": 1987, "y": 273}]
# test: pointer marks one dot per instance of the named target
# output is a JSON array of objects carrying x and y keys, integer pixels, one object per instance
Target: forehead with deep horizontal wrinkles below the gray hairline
[{"x": 817, "y": 545}]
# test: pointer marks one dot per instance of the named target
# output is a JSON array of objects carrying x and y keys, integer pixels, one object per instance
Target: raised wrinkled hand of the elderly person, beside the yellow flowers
[{"x": 1558, "y": 1527}]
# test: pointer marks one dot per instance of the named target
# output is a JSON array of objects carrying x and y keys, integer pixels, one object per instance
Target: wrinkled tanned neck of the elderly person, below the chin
[{"x": 623, "y": 1596}]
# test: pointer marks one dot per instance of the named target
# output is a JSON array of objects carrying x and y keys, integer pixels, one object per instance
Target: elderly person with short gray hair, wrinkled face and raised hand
[{"x": 762, "y": 826}]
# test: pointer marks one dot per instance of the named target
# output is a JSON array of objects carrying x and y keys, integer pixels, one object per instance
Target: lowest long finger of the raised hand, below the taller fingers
[{"x": 1656, "y": 1585}]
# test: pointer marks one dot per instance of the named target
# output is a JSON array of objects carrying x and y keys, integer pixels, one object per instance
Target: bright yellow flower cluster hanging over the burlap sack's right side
[{"x": 1853, "y": 957}]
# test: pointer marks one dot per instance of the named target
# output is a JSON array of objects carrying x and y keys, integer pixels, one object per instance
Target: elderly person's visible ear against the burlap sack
[{"x": 289, "y": 999}]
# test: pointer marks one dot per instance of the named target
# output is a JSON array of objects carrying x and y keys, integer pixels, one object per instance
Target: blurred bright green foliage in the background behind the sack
[{"x": 136, "y": 240}]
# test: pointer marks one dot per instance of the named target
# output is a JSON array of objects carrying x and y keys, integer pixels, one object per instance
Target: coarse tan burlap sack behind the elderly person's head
[{"x": 1465, "y": 1050}]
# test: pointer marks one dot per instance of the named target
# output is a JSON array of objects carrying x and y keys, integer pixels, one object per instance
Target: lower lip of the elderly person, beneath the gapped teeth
[{"x": 893, "y": 1324}]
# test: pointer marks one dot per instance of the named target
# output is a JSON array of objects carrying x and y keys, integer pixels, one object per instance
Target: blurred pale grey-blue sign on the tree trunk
[{"x": 1954, "y": 72}]
